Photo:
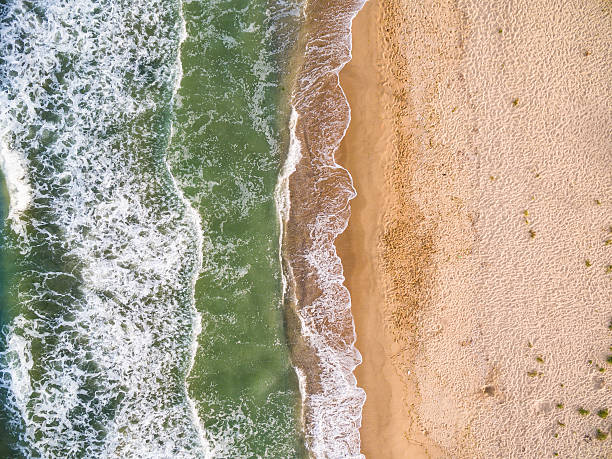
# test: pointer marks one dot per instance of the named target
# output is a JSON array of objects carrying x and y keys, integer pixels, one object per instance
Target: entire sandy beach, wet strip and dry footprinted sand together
[{"x": 476, "y": 255}]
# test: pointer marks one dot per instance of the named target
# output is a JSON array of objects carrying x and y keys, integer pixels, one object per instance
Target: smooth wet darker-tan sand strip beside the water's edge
[{"x": 388, "y": 429}]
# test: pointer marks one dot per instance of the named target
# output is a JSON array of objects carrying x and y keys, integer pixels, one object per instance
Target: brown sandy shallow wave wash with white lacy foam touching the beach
[{"x": 313, "y": 200}]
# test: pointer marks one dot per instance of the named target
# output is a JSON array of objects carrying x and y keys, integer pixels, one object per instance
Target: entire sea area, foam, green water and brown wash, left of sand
[{"x": 156, "y": 276}]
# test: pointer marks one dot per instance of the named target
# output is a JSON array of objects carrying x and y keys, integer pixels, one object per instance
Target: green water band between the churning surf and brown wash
[{"x": 230, "y": 122}]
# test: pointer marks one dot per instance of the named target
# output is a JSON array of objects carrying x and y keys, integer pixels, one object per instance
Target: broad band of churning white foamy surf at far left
[{"x": 95, "y": 364}]
